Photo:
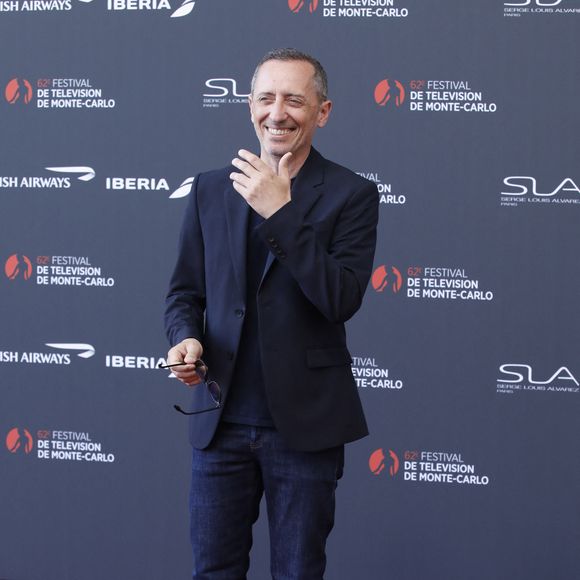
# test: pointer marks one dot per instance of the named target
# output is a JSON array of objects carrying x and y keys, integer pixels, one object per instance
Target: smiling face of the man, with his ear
[{"x": 286, "y": 108}]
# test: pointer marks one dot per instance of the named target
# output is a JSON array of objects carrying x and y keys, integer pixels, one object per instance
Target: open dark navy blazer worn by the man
[{"x": 321, "y": 248}]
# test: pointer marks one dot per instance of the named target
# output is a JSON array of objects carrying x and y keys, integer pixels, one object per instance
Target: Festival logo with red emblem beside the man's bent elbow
[{"x": 430, "y": 283}]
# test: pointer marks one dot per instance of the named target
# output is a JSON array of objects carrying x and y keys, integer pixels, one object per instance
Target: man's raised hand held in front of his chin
[{"x": 265, "y": 190}]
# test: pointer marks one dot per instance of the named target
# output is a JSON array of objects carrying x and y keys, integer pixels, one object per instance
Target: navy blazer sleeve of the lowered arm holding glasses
[{"x": 185, "y": 301}]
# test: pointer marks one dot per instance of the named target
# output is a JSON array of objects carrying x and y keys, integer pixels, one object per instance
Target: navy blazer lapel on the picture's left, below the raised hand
[{"x": 237, "y": 216}]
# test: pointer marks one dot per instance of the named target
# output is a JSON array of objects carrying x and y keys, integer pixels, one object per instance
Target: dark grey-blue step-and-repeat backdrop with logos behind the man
[{"x": 465, "y": 352}]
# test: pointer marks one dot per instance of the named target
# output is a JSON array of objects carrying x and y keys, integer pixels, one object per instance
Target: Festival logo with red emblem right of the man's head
[{"x": 439, "y": 96}]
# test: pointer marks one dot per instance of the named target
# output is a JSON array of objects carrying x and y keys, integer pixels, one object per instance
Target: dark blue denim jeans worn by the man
[{"x": 228, "y": 480}]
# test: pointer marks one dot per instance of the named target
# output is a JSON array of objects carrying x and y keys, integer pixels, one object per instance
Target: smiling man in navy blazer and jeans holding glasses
[{"x": 274, "y": 256}]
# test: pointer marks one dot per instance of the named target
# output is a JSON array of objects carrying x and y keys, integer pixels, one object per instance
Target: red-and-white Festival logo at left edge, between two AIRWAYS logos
[{"x": 57, "y": 271}]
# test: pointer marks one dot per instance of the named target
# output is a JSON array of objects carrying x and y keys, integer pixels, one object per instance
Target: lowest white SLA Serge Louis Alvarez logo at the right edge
[{"x": 519, "y": 378}]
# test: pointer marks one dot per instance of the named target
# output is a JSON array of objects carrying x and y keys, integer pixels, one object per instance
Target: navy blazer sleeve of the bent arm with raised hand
[{"x": 333, "y": 278}]
